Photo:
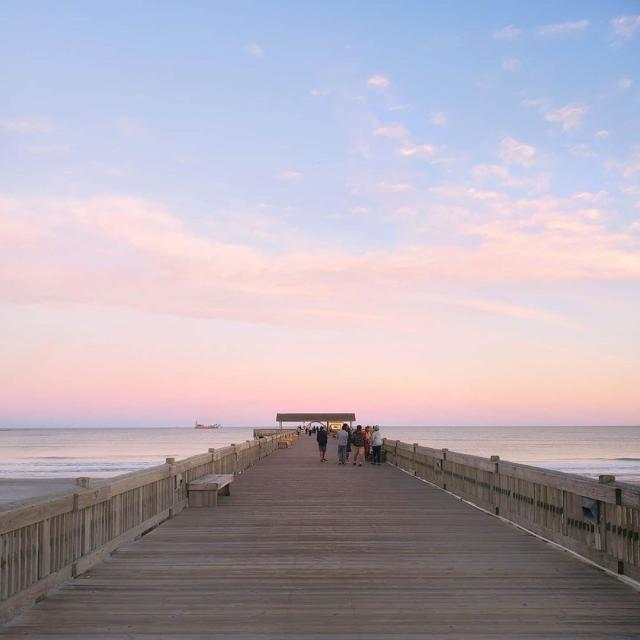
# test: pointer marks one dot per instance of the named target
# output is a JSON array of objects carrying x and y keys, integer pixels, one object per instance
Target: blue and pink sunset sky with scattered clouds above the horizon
[{"x": 426, "y": 213}]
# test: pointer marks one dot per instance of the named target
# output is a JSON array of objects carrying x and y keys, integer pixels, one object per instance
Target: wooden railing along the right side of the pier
[{"x": 598, "y": 519}]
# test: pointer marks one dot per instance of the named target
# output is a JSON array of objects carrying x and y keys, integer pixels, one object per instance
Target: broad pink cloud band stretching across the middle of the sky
[{"x": 187, "y": 273}]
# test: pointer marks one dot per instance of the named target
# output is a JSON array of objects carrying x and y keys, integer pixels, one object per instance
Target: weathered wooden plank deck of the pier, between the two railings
[{"x": 308, "y": 550}]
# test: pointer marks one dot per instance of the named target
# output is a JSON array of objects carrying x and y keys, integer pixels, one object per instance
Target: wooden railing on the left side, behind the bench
[{"x": 45, "y": 543}]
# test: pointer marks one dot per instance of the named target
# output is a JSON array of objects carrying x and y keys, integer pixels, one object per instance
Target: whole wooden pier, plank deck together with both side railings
[{"x": 303, "y": 549}]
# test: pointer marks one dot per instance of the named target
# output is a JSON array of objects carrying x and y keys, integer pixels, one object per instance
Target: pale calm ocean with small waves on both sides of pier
[{"x": 99, "y": 453}]
